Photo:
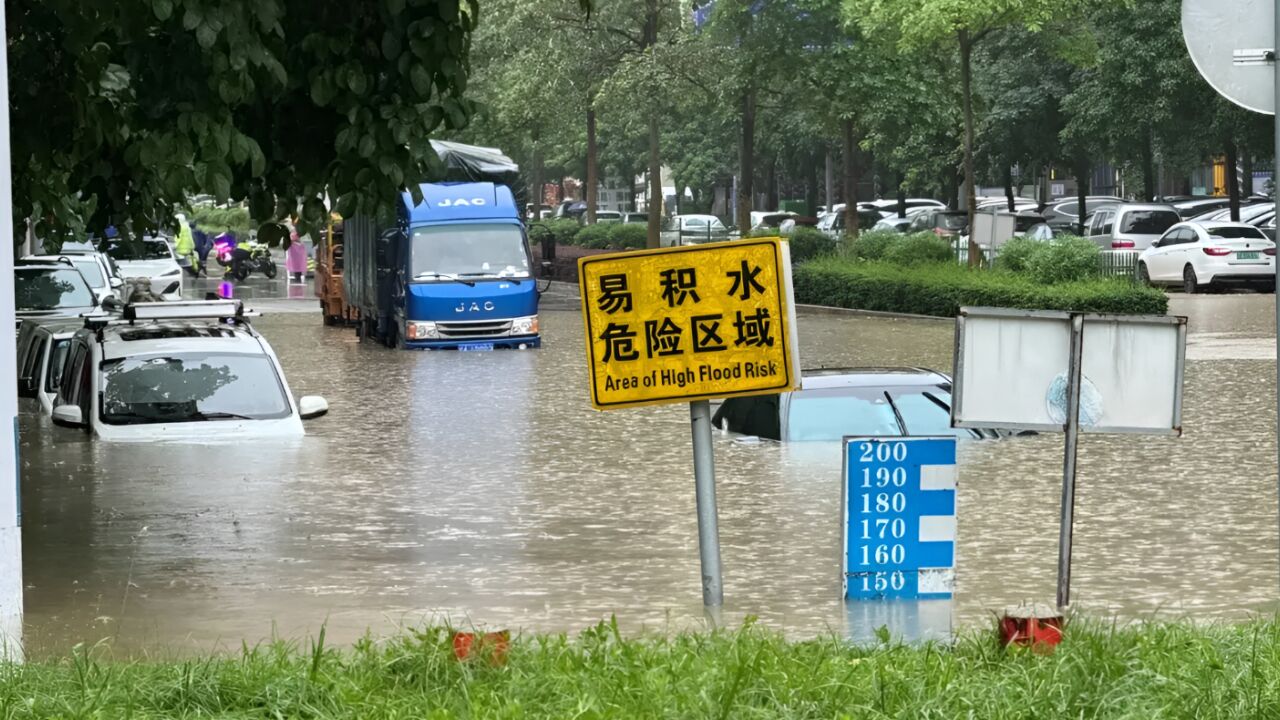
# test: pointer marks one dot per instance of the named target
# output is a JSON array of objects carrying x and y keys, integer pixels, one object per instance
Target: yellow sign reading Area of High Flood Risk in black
[{"x": 689, "y": 323}]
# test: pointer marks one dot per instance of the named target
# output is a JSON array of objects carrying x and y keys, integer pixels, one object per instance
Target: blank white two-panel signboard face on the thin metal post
[{"x": 1012, "y": 372}]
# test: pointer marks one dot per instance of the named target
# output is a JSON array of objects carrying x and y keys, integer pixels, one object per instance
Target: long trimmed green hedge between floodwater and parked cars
[{"x": 941, "y": 290}]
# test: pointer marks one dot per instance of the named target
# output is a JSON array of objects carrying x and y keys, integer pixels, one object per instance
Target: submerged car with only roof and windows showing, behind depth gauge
[{"x": 854, "y": 402}]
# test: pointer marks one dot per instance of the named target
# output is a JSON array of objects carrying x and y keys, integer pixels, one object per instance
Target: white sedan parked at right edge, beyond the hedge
[{"x": 1199, "y": 256}]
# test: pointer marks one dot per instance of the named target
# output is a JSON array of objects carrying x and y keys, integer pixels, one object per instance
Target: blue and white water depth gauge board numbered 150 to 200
[{"x": 899, "y": 518}]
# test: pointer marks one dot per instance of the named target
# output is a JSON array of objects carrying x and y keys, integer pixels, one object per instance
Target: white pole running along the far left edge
[{"x": 11, "y": 512}]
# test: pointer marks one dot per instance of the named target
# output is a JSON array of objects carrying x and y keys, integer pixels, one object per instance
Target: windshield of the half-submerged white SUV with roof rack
[{"x": 191, "y": 386}]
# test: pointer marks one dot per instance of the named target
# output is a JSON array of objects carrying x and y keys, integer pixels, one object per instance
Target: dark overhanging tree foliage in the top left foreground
[{"x": 127, "y": 108}]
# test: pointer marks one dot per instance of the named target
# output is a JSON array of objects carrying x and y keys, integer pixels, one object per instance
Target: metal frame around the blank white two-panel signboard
[{"x": 1064, "y": 317}]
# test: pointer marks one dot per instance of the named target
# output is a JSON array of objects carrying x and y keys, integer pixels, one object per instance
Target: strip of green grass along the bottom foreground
[{"x": 1136, "y": 672}]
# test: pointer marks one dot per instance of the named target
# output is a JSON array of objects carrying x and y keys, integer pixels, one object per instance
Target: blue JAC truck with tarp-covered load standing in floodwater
[{"x": 451, "y": 272}]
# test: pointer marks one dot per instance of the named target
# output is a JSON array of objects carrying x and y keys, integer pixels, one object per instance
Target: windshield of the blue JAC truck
[{"x": 482, "y": 250}]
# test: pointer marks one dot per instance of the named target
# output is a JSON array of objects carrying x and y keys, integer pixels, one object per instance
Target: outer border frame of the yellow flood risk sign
[{"x": 787, "y": 321}]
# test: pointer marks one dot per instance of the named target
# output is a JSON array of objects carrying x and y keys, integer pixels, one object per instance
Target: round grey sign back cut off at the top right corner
[{"x": 1232, "y": 44}]
